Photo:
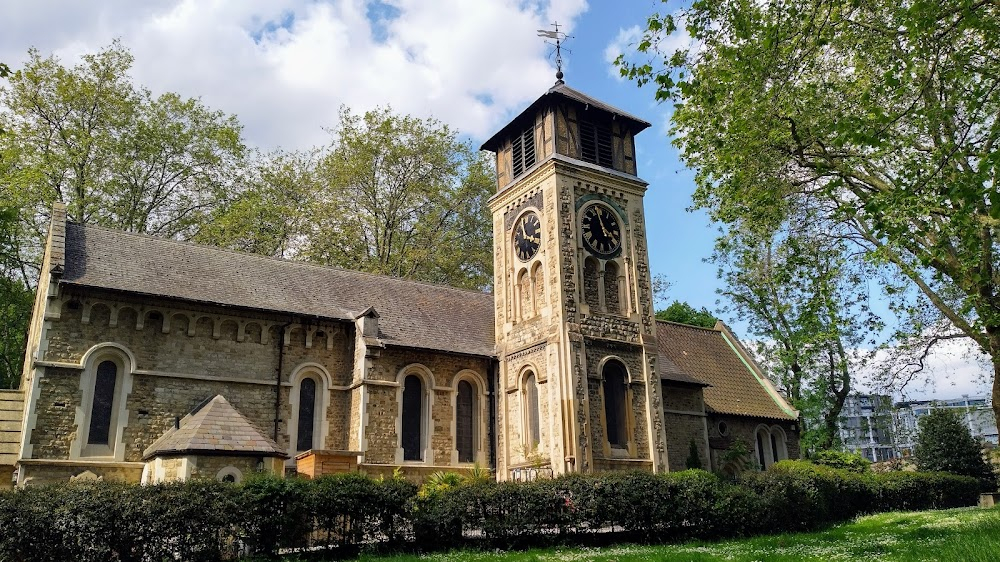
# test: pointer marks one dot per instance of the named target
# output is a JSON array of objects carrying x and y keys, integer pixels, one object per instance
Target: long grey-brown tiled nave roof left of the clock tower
[{"x": 412, "y": 314}]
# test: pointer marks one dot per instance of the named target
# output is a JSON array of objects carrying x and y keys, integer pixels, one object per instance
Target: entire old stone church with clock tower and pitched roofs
[{"x": 154, "y": 360}]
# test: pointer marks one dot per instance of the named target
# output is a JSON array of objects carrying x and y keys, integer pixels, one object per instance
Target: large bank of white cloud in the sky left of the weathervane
[{"x": 284, "y": 67}]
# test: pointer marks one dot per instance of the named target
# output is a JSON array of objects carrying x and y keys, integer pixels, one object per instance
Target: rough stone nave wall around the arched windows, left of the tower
[{"x": 184, "y": 353}]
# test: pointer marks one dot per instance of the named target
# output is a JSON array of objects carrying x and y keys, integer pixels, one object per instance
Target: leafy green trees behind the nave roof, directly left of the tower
[{"x": 392, "y": 194}]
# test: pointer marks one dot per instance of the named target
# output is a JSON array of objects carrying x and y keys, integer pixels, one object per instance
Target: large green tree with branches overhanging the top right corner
[{"x": 880, "y": 115}]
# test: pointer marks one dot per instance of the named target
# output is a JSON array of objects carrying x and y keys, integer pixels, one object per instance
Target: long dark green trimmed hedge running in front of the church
[{"x": 206, "y": 520}]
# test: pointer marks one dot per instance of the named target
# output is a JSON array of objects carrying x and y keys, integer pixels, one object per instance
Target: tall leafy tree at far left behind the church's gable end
[{"x": 114, "y": 153}]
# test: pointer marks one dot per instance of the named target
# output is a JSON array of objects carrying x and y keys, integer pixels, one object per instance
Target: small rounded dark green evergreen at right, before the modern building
[{"x": 945, "y": 444}]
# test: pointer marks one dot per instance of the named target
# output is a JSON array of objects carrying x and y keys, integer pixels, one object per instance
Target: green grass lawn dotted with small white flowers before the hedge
[{"x": 960, "y": 535}]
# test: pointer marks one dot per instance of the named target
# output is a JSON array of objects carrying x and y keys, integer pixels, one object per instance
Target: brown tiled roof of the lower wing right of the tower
[{"x": 738, "y": 387}]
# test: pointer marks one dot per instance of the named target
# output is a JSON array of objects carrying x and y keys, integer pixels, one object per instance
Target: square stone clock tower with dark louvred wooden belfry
[{"x": 575, "y": 336}]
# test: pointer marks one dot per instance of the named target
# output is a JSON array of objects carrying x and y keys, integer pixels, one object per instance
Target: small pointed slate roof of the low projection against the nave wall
[{"x": 214, "y": 427}]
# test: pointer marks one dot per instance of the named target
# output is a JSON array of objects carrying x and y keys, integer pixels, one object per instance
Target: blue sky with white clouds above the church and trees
[{"x": 285, "y": 67}]
